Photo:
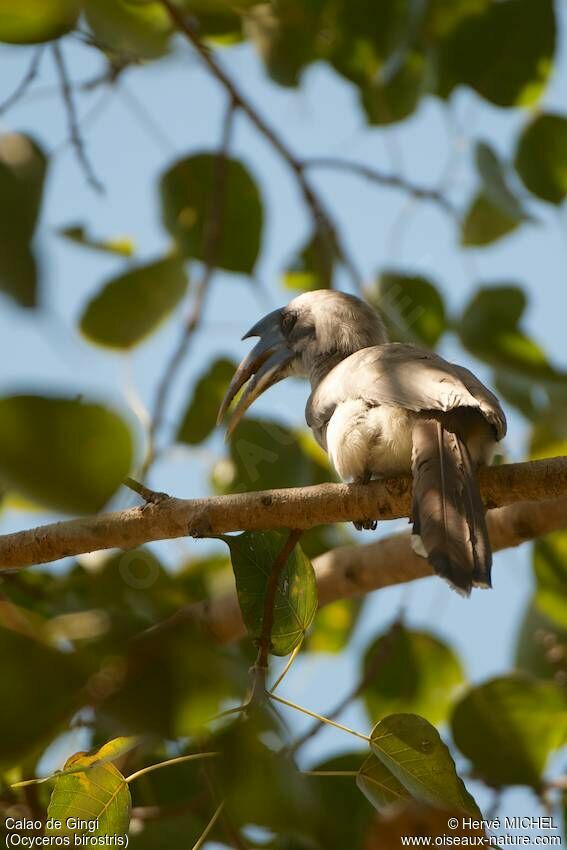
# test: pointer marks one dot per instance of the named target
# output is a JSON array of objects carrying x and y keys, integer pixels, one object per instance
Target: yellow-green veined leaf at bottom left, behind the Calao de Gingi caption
[{"x": 99, "y": 793}]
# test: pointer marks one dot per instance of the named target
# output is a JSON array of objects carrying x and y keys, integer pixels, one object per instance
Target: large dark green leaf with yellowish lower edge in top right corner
[{"x": 505, "y": 52}]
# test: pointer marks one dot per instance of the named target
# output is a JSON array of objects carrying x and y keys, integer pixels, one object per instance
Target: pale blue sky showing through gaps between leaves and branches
[{"x": 161, "y": 112}]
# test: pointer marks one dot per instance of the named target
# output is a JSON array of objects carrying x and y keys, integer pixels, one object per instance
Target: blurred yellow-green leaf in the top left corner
[{"x": 33, "y": 21}]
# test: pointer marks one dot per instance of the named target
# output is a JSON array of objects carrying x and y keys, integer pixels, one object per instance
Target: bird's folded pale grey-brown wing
[{"x": 406, "y": 376}]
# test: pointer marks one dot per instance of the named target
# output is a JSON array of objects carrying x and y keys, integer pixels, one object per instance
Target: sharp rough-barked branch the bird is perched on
[{"x": 301, "y": 508}]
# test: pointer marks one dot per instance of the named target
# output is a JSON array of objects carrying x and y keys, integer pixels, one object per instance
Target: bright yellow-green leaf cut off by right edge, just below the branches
[{"x": 550, "y": 567}]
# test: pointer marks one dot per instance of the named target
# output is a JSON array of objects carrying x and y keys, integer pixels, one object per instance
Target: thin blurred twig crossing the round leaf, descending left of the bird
[{"x": 212, "y": 239}]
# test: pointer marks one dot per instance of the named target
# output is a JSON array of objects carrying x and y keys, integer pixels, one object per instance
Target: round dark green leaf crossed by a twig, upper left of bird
[{"x": 189, "y": 210}]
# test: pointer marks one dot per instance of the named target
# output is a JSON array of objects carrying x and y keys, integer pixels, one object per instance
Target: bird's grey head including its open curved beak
[{"x": 306, "y": 338}]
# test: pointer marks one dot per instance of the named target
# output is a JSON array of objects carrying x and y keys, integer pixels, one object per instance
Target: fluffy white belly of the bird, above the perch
[{"x": 374, "y": 440}]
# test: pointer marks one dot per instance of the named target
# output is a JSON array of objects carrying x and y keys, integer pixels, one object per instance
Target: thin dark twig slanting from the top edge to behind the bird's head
[{"x": 324, "y": 225}]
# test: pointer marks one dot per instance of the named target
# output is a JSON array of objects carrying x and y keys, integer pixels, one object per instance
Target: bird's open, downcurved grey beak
[{"x": 263, "y": 367}]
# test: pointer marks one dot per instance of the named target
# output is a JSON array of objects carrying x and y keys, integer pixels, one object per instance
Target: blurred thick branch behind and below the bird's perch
[{"x": 357, "y": 570}]
